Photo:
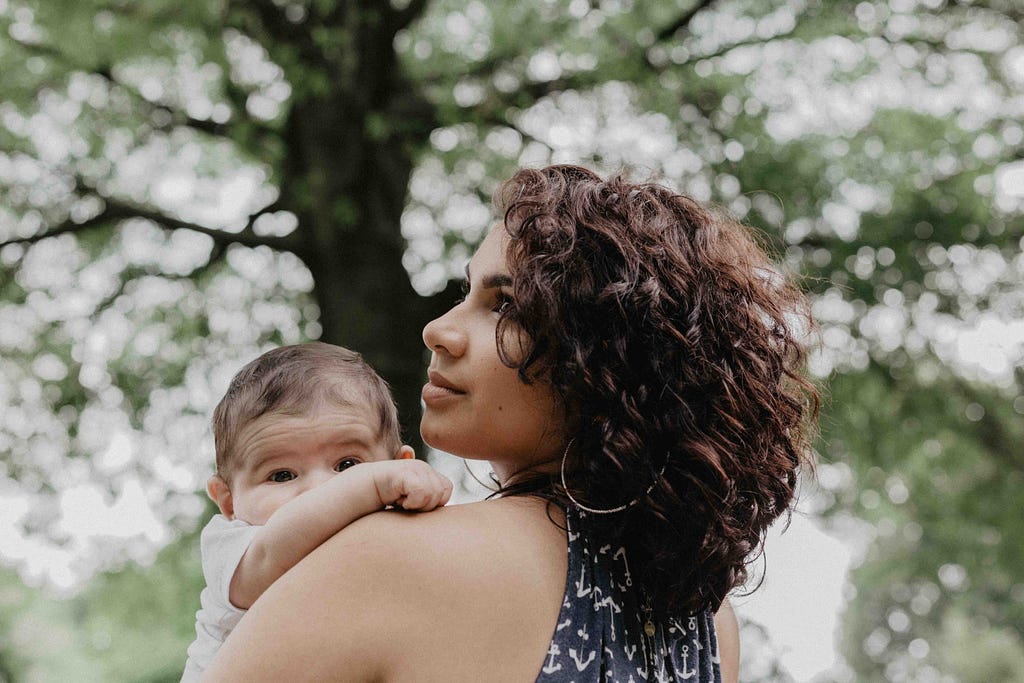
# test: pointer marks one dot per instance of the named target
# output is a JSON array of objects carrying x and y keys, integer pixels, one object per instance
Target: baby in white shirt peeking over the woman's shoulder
[{"x": 291, "y": 421}]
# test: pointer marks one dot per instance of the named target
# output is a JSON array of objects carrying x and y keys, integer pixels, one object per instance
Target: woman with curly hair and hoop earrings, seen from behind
[{"x": 630, "y": 365}]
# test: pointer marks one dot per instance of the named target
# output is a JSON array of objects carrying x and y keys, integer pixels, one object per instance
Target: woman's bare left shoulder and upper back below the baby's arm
[{"x": 397, "y": 596}]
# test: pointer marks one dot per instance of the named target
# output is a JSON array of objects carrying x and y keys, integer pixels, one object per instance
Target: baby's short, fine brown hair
[{"x": 297, "y": 380}]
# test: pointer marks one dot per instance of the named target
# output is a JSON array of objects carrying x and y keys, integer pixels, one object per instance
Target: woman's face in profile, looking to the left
[{"x": 477, "y": 407}]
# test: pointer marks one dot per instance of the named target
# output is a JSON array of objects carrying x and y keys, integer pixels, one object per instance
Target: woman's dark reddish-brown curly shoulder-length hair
[{"x": 676, "y": 347}]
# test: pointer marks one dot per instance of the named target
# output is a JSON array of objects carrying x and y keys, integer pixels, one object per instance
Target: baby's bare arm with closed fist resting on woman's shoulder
[{"x": 308, "y": 521}]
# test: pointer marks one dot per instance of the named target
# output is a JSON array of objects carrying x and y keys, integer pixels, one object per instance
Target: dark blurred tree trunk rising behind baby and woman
[{"x": 350, "y": 155}]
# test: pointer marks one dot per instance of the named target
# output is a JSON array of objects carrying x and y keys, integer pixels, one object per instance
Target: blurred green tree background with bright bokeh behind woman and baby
[{"x": 185, "y": 184}]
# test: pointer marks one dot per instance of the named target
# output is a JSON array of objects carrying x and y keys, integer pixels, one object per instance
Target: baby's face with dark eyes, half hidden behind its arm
[{"x": 283, "y": 456}]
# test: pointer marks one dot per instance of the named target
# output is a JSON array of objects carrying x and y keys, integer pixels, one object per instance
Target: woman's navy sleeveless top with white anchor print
[{"x": 604, "y": 634}]
